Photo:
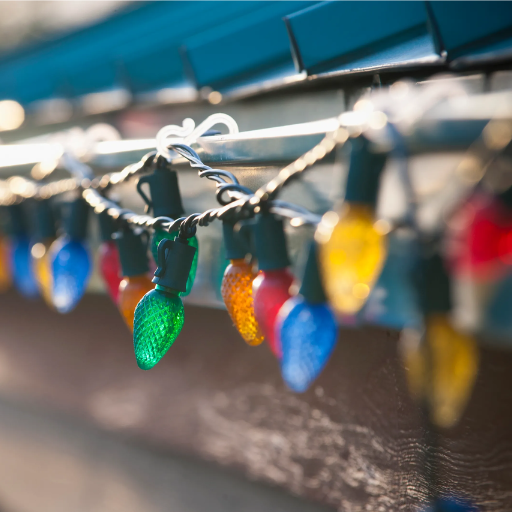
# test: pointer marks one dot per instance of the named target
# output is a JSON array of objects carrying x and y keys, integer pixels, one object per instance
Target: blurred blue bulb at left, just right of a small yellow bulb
[{"x": 71, "y": 267}]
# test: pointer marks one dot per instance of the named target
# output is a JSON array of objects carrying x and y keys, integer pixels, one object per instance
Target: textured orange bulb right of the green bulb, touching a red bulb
[{"x": 236, "y": 291}]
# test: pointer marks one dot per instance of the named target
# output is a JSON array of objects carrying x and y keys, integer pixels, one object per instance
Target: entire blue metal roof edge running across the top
[{"x": 226, "y": 45}]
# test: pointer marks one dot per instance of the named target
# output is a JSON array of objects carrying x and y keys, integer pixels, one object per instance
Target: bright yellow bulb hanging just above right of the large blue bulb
[{"x": 352, "y": 249}]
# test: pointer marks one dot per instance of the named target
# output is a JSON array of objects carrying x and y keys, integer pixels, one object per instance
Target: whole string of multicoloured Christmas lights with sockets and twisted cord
[{"x": 360, "y": 269}]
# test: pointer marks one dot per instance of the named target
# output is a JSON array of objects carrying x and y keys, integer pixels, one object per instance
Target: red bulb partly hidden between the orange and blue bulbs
[{"x": 271, "y": 289}]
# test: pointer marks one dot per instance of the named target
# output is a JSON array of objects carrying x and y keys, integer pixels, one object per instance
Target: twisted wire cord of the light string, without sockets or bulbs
[{"x": 236, "y": 201}]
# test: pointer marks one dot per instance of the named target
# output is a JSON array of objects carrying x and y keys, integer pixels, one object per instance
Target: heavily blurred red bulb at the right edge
[{"x": 479, "y": 238}]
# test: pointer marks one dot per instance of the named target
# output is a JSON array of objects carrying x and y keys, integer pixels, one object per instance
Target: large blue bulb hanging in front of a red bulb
[{"x": 308, "y": 334}]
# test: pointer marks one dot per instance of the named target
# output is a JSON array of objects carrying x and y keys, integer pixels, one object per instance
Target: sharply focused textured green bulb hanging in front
[{"x": 159, "y": 318}]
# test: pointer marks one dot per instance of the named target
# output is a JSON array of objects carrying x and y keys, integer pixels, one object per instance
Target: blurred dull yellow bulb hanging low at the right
[{"x": 442, "y": 370}]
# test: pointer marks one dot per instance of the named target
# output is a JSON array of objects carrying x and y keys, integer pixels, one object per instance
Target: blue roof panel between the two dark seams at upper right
[{"x": 346, "y": 36}]
